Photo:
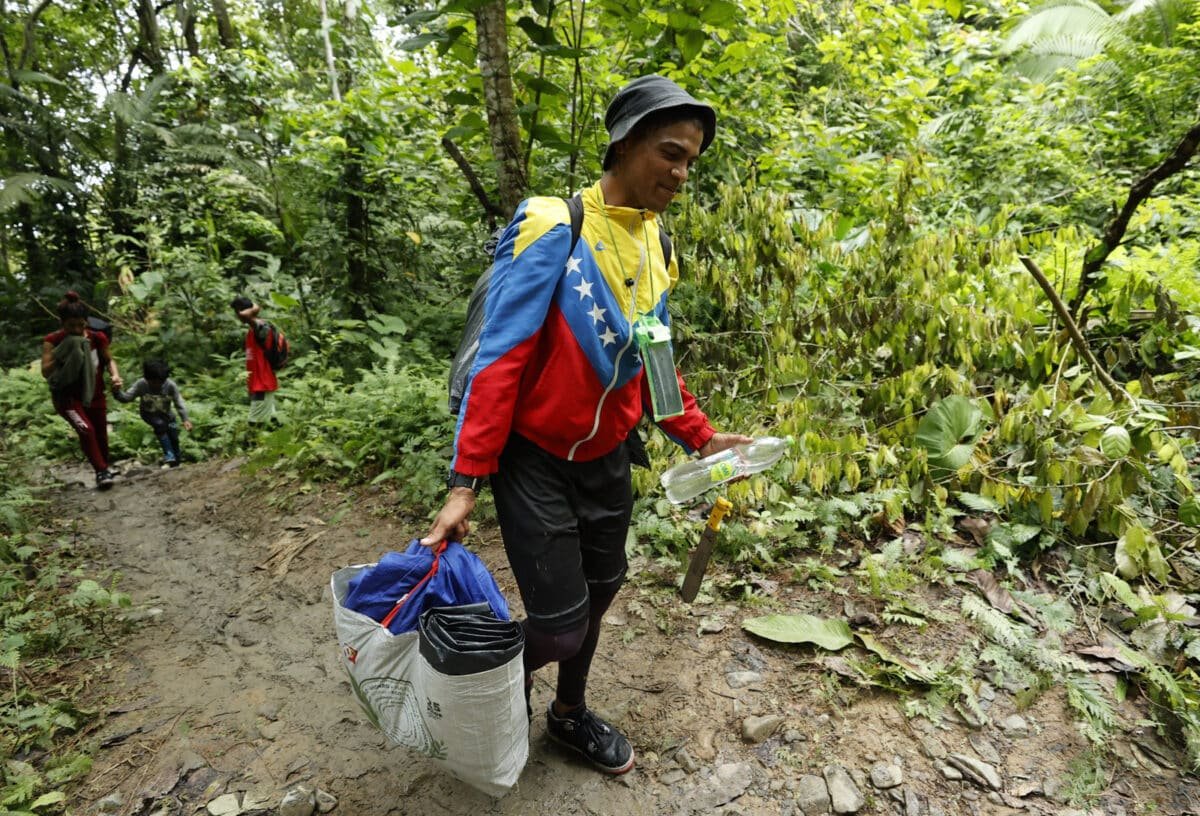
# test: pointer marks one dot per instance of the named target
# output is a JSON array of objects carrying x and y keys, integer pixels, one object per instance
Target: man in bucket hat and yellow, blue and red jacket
[{"x": 559, "y": 385}]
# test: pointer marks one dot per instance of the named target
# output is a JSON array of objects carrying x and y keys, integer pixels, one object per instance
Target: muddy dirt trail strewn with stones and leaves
[{"x": 232, "y": 685}]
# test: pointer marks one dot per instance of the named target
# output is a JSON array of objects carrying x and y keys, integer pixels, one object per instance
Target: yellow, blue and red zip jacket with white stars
[{"x": 557, "y": 362}]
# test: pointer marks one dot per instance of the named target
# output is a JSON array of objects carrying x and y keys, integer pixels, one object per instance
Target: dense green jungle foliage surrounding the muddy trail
[{"x": 859, "y": 253}]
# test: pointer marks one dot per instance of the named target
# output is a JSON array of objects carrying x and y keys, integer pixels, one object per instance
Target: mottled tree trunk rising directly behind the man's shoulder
[{"x": 491, "y": 27}]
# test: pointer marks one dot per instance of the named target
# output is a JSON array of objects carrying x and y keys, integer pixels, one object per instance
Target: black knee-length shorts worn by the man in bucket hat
[{"x": 565, "y": 527}]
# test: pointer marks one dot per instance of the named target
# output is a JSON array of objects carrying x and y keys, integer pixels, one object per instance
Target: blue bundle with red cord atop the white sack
[{"x": 421, "y": 579}]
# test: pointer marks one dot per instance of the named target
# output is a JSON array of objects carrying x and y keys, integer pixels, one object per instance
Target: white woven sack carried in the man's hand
[{"x": 473, "y": 725}]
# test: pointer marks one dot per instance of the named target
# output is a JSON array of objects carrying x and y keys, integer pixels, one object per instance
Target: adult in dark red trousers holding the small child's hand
[{"x": 74, "y": 363}]
